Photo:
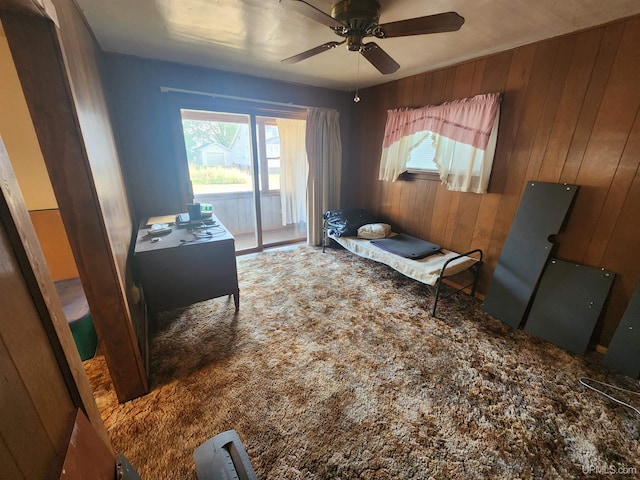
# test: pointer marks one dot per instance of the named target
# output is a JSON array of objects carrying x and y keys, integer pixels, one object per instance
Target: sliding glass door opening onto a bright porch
[{"x": 251, "y": 168}]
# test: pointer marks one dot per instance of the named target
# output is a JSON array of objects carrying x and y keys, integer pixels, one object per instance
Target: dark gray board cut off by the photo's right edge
[{"x": 623, "y": 352}]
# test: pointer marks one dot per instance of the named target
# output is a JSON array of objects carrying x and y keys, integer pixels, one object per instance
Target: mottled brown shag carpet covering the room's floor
[{"x": 334, "y": 369}]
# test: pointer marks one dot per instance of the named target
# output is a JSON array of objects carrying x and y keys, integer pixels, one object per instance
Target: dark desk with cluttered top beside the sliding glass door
[{"x": 180, "y": 269}]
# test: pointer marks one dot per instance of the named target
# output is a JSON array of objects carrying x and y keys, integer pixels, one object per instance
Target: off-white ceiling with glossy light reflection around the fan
[{"x": 252, "y": 36}]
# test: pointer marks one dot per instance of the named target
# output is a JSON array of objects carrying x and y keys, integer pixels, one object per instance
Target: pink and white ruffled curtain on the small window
[{"x": 464, "y": 134}]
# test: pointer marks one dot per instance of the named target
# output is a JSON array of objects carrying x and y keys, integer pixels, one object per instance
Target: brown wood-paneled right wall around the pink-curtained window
[{"x": 569, "y": 114}]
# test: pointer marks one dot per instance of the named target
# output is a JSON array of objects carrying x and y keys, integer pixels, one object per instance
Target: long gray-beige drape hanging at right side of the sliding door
[{"x": 324, "y": 153}]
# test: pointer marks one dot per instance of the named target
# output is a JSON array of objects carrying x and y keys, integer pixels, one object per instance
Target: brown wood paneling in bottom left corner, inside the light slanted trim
[{"x": 36, "y": 406}]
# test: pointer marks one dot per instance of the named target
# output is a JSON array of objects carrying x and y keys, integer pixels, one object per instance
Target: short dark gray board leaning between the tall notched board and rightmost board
[{"x": 568, "y": 303}]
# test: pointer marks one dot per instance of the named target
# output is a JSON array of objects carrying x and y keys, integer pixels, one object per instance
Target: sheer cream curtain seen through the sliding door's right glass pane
[{"x": 293, "y": 170}]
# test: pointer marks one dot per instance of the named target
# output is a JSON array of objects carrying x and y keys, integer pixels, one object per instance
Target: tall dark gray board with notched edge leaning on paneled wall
[{"x": 541, "y": 214}]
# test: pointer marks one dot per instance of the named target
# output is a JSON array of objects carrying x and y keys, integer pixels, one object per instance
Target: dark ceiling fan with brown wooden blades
[{"x": 354, "y": 20}]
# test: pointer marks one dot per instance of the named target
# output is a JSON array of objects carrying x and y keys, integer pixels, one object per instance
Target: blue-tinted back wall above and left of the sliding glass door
[{"x": 145, "y": 119}]
